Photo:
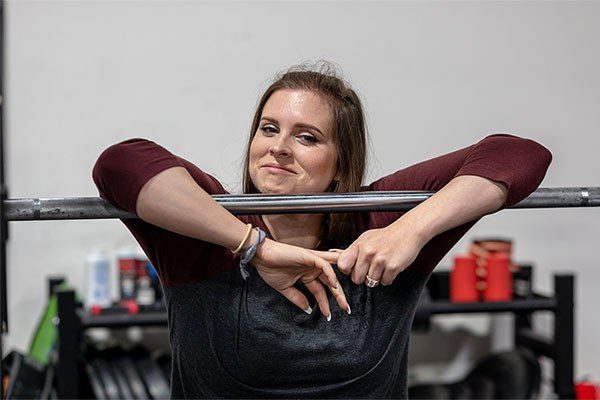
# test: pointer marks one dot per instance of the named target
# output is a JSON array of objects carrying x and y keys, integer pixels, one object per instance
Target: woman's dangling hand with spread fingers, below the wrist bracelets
[{"x": 281, "y": 266}]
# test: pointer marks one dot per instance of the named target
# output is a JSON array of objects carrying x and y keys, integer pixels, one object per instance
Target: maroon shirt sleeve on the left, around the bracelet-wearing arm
[{"x": 120, "y": 173}]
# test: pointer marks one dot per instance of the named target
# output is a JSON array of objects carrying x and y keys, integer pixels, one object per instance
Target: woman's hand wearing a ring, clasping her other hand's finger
[{"x": 381, "y": 253}]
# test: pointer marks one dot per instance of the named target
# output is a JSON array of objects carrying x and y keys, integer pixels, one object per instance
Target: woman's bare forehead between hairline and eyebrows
[{"x": 299, "y": 106}]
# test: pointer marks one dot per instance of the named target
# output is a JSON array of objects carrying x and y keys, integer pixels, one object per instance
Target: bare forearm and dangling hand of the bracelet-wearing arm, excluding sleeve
[{"x": 173, "y": 201}]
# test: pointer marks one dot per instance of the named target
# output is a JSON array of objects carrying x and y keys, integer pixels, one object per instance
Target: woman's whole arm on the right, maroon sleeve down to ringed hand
[{"x": 498, "y": 171}]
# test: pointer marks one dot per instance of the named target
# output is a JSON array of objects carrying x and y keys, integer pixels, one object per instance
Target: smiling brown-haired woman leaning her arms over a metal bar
[{"x": 232, "y": 334}]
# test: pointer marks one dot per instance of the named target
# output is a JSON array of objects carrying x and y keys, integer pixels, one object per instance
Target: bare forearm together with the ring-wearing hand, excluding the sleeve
[{"x": 384, "y": 253}]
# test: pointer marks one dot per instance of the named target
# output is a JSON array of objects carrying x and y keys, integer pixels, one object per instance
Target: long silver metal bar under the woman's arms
[{"x": 96, "y": 208}]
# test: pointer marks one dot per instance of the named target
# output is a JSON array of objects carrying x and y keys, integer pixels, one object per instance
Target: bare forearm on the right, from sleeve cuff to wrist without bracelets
[{"x": 464, "y": 199}]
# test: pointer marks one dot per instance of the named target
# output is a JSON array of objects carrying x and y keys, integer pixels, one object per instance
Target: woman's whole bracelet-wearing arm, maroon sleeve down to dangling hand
[{"x": 141, "y": 176}]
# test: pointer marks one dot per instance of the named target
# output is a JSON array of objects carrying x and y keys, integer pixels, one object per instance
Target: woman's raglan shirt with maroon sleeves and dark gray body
[{"x": 239, "y": 338}]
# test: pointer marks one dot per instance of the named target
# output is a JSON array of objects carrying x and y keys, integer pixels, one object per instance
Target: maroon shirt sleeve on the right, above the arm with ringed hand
[{"x": 520, "y": 164}]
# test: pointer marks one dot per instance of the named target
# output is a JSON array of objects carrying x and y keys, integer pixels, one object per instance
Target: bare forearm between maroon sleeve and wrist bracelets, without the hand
[{"x": 173, "y": 200}]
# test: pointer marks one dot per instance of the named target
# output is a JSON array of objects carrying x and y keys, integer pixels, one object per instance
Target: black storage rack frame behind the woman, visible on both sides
[{"x": 73, "y": 321}]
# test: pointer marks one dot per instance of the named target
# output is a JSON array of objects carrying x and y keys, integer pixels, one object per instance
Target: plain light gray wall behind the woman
[{"x": 434, "y": 76}]
